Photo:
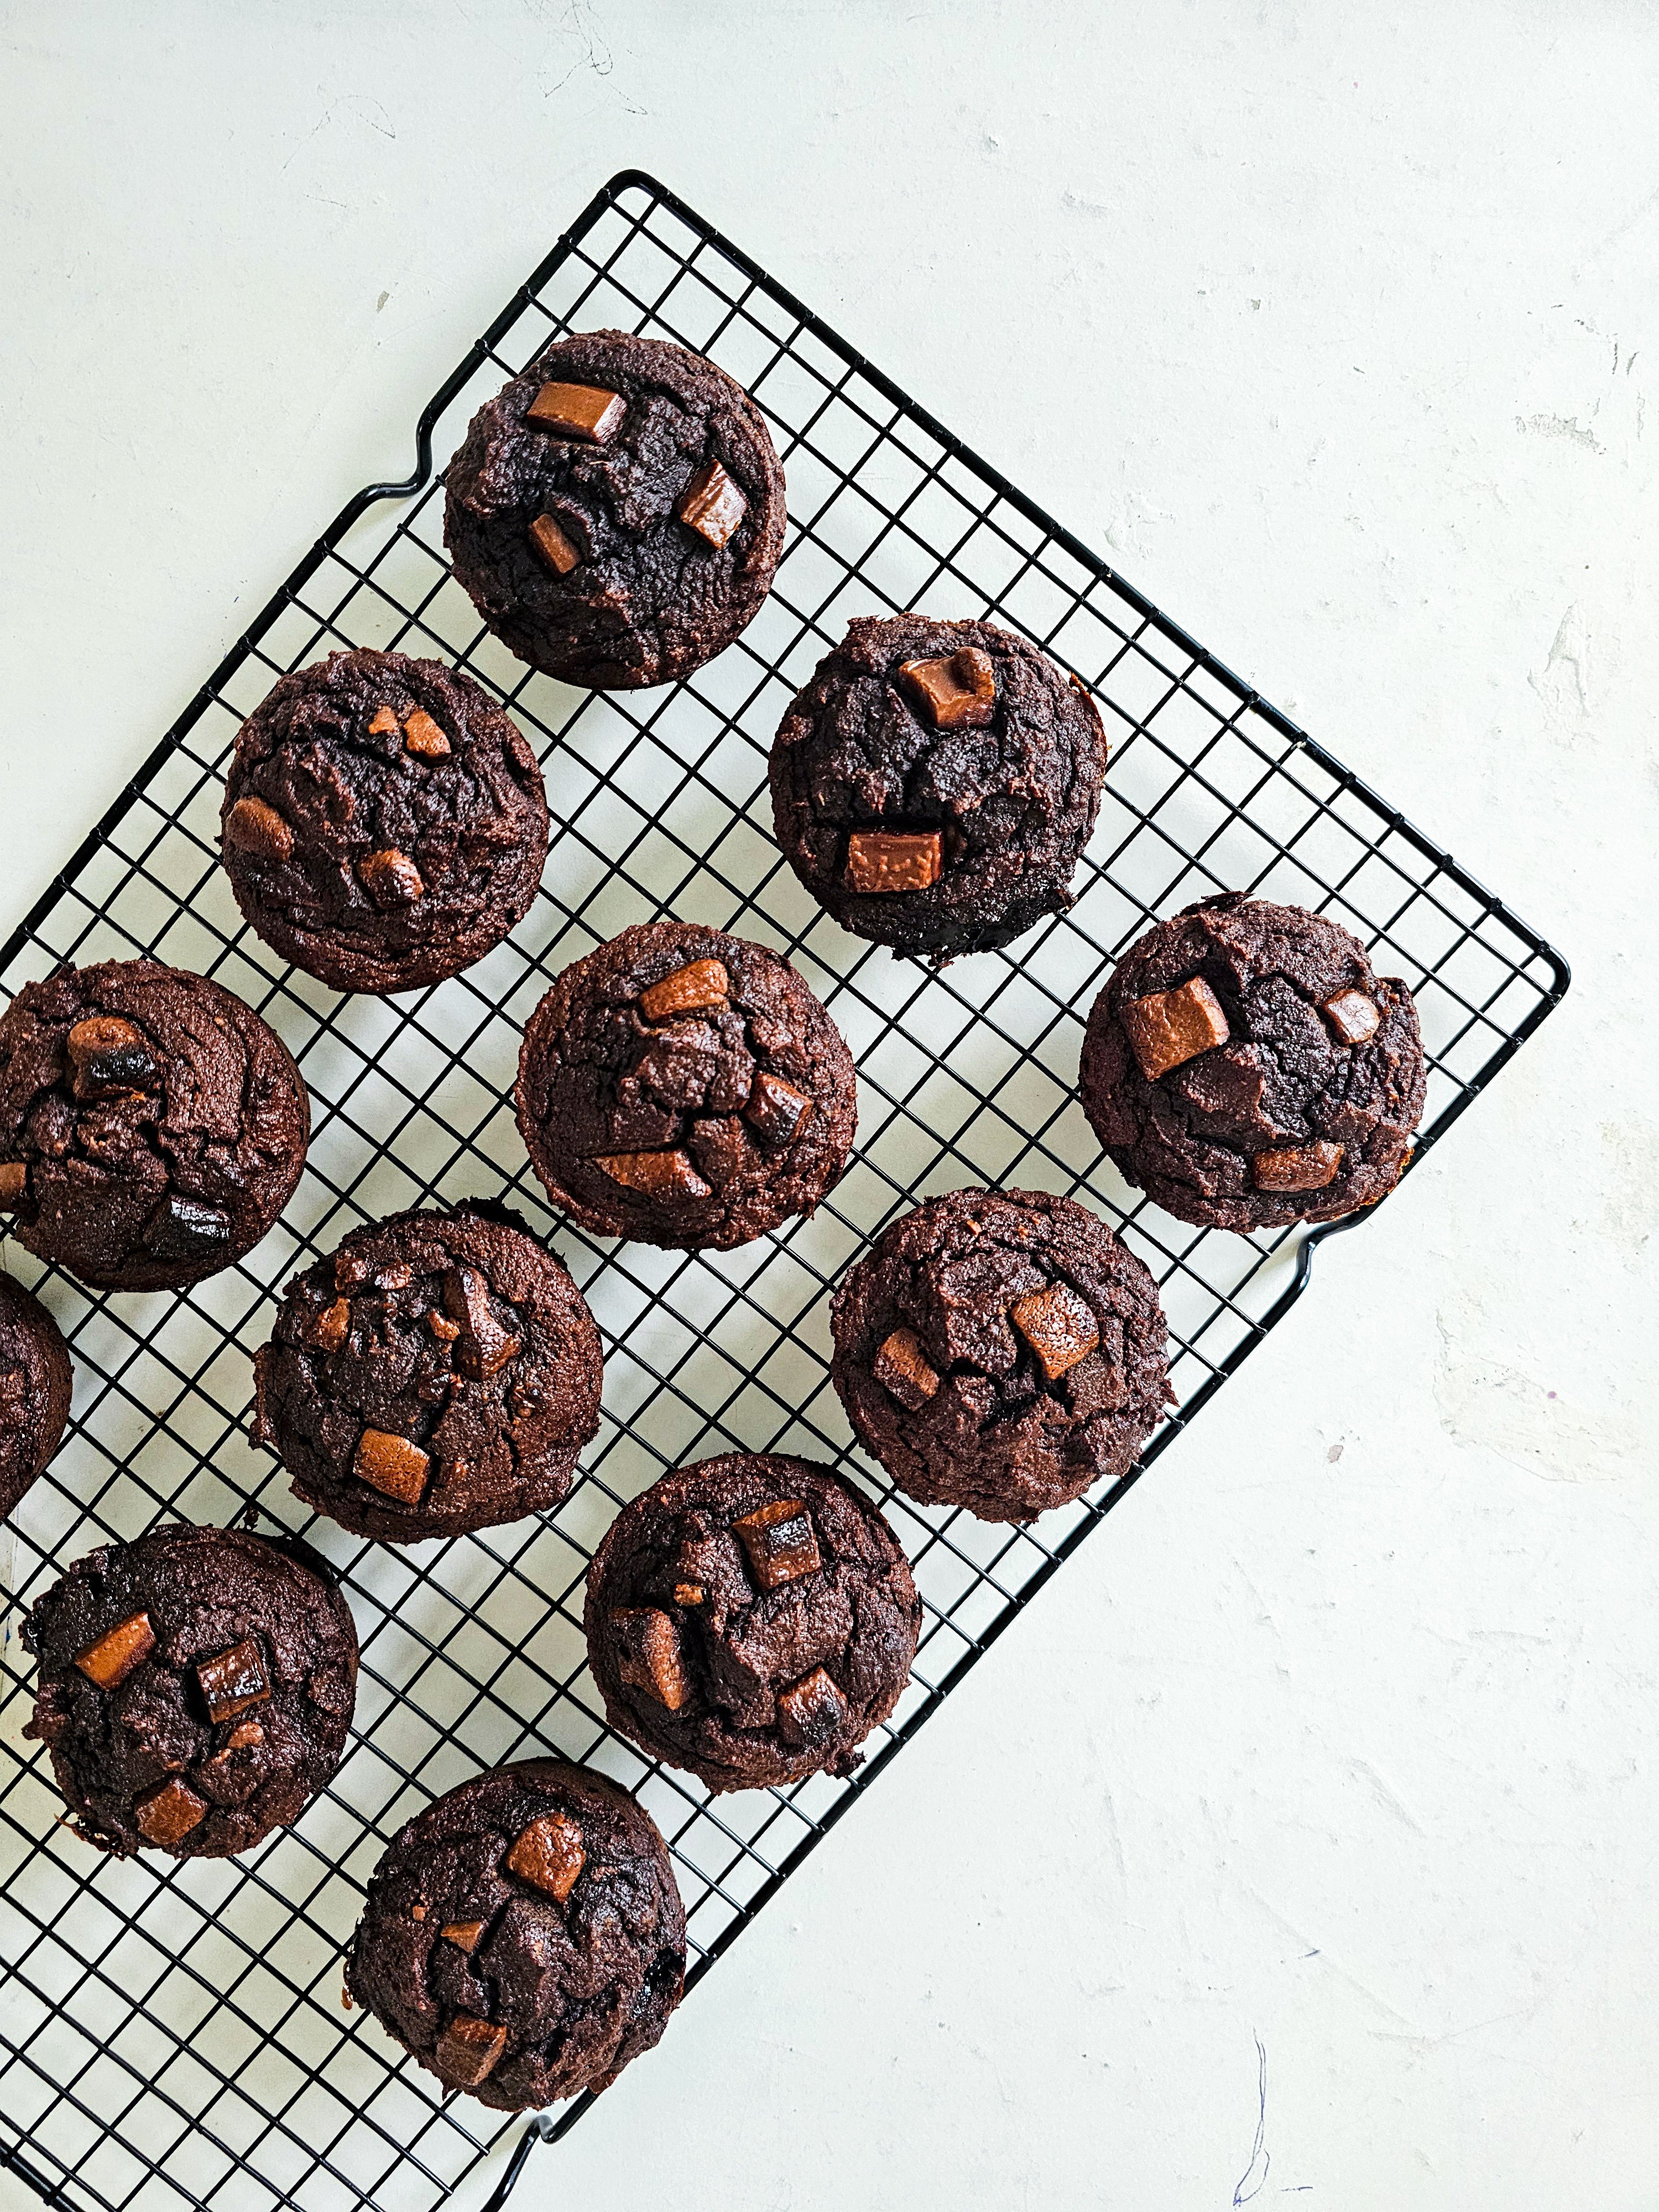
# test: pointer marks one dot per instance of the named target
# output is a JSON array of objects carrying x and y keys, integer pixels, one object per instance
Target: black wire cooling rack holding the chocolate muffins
[{"x": 176, "y": 2032}]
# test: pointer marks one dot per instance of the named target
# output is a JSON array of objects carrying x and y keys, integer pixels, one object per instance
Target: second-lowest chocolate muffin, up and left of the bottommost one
[{"x": 196, "y": 1689}]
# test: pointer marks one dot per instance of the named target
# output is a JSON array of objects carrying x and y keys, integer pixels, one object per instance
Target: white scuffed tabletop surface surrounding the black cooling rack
[{"x": 1337, "y": 328}]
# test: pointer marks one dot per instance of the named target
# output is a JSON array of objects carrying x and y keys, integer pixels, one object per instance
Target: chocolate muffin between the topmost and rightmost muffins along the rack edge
[{"x": 937, "y": 782}]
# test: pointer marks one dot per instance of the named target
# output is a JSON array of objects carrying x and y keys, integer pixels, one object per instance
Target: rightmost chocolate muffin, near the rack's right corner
[{"x": 1249, "y": 1070}]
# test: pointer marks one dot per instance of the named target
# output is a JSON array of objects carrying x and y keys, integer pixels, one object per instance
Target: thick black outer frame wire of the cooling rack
[{"x": 545, "y": 2129}]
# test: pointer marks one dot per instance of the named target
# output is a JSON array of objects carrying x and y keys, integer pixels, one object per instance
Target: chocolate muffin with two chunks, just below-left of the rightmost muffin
[{"x": 1001, "y": 1350}]
